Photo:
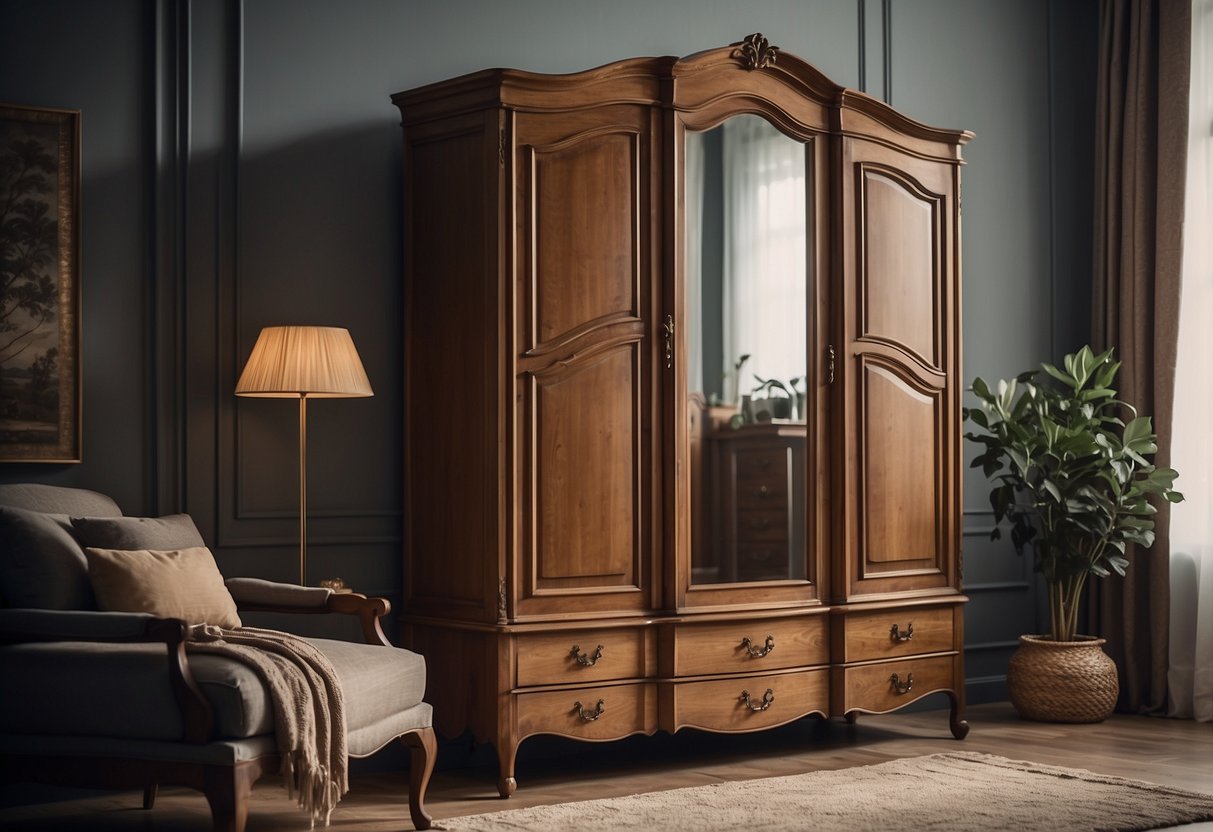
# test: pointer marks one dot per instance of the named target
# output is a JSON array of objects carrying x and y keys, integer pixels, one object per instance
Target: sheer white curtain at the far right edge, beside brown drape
[{"x": 1191, "y": 681}]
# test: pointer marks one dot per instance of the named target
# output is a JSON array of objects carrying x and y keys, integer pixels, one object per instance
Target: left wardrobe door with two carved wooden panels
[{"x": 586, "y": 469}]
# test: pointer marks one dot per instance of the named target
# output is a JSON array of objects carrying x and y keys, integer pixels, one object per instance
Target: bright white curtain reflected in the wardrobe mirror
[{"x": 765, "y": 252}]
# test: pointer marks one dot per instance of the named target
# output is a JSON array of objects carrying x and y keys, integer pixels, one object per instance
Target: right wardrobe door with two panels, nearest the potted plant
[{"x": 898, "y": 366}]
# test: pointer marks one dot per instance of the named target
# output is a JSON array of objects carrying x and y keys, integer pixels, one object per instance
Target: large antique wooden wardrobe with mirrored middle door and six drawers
[{"x": 602, "y": 537}]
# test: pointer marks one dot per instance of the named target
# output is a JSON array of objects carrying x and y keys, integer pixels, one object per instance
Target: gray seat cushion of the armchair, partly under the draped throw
[{"x": 129, "y": 697}]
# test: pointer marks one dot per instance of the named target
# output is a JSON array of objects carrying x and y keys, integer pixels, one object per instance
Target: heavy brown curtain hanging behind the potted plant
[{"x": 1141, "y": 153}]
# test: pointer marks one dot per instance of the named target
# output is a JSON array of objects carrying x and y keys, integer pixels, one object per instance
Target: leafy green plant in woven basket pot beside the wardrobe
[{"x": 1074, "y": 480}]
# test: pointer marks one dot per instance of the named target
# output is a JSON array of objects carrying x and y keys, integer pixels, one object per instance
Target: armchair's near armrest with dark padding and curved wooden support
[{"x": 45, "y": 626}]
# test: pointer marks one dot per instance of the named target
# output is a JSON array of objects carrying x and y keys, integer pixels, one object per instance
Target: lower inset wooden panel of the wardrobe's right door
[{"x": 901, "y": 476}]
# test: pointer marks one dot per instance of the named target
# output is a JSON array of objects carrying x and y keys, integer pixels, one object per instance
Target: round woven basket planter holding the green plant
[{"x": 1062, "y": 681}]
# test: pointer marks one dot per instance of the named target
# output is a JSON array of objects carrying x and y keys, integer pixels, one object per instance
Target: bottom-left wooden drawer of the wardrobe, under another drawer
[{"x": 603, "y": 713}]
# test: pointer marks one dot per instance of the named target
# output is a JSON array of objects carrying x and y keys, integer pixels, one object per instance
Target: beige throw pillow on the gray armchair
[{"x": 175, "y": 584}]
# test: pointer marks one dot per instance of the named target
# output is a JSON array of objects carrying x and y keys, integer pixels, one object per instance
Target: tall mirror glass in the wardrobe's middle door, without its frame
[{"x": 745, "y": 265}]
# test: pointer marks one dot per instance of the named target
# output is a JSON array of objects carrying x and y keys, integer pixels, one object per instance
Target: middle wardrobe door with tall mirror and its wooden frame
[{"x": 749, "y": 420}]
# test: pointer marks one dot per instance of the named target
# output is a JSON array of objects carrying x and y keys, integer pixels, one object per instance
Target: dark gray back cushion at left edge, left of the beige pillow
[{"x": 42, "y": 567}]
